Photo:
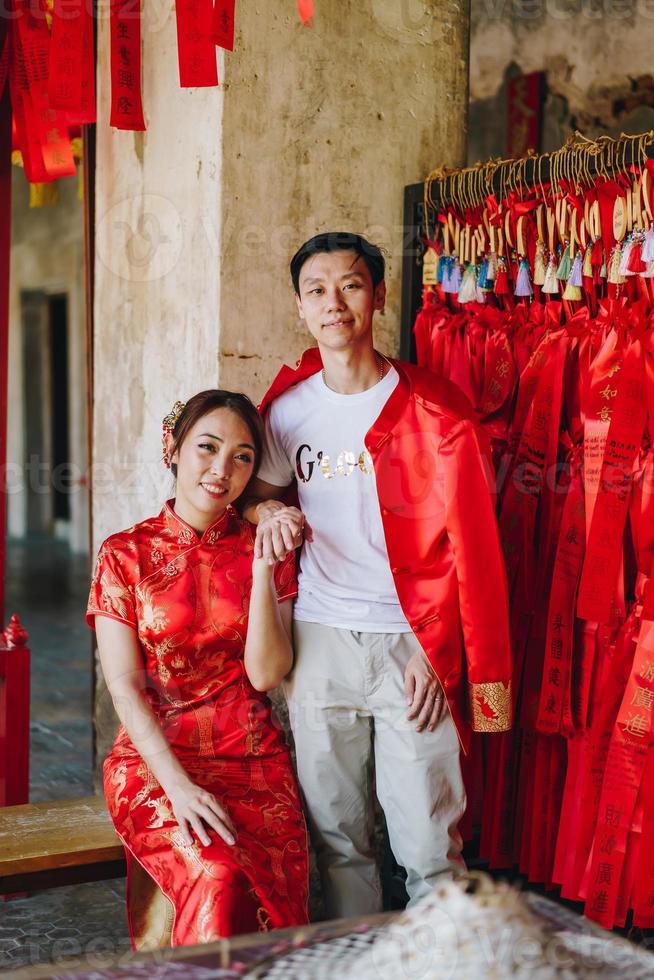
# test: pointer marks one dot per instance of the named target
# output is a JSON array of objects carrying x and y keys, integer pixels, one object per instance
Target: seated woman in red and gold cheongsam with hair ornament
[{"x": 192, "y": 632}]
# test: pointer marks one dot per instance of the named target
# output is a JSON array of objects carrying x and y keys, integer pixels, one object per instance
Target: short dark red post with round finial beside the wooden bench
[{"x": 14, "y": 715}]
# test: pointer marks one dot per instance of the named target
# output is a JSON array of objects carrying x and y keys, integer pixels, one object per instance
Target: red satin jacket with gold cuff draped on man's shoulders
[{"x": 441, "y": 534}]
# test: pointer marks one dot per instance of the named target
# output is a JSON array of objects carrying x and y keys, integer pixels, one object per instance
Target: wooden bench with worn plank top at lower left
[{"x": 43, "y": 845}]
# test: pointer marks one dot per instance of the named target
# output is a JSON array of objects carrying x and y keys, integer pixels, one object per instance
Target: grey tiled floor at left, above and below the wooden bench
[{"x": 47, "y": 587}]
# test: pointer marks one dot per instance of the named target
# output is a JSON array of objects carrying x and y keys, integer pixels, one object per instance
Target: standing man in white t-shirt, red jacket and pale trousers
[{"x": 401, "y": 556}]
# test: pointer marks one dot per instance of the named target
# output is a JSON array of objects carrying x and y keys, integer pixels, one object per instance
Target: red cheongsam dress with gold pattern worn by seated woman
[{"x": 187, "y": 599}]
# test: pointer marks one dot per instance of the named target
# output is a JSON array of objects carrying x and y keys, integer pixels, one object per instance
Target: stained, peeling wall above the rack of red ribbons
[{"x": 597, "y": 60}]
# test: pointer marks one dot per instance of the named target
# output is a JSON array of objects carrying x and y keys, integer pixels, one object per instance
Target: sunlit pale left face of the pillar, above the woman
[{"x": 157, "y": 290}]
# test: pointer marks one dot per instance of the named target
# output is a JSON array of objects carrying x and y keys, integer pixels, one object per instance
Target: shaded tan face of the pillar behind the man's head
[{"x": 322, "y": 129}]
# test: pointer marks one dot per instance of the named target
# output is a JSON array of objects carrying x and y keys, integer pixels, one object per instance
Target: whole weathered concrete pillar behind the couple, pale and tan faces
[{"x": 312, "y": 129}]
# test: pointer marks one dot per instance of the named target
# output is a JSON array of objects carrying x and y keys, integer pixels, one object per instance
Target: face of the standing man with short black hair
[{"x": 337, "y": 299}]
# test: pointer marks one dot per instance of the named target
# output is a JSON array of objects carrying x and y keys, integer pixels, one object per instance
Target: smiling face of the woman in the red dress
[{"x": 214, "y": 464}]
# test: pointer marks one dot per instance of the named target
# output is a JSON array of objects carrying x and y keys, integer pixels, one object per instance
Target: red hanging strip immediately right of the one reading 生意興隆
[{"x": 195, "y": 44}]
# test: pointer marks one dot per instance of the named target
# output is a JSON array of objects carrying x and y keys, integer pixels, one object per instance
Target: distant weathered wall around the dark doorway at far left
[{"x": 47, "y": 254}]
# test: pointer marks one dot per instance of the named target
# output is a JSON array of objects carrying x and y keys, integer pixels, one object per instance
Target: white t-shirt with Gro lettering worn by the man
[{"x": 316, "y": 436}]
